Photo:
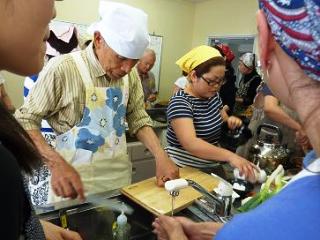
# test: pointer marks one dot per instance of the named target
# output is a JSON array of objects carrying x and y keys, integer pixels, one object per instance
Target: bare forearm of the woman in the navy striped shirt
[{"x": 202, "y": 149}]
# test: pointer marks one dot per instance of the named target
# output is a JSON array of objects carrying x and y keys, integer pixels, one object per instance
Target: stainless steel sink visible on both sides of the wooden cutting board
[{"x": 95, "y": 223}]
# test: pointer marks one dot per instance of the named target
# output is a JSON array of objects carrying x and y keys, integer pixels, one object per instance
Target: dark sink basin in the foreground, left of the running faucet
[{"x": 95, "y": 223}]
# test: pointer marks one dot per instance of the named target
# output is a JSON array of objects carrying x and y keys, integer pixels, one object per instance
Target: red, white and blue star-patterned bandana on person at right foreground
[{"x": 295, "y": 25}]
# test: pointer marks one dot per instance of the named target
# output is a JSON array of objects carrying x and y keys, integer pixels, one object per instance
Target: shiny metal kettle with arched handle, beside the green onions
[{"x": 268, "y": 151}]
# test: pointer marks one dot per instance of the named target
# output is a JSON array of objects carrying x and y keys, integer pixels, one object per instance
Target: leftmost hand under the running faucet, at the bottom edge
[{"x": 168, "y": 228}]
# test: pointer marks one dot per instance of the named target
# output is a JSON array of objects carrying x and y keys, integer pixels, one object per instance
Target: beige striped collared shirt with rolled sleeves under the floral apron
[{"x": 59, "y": 95}]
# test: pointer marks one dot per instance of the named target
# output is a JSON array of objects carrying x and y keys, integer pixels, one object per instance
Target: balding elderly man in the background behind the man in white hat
[{"x": 144, "y": 66}]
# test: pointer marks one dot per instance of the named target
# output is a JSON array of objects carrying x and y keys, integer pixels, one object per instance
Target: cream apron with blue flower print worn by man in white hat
[{"x": 96, "y": 147}]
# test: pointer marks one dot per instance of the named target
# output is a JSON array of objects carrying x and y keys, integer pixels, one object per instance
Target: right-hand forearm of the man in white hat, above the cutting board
[{"x": 147, "y": 136}]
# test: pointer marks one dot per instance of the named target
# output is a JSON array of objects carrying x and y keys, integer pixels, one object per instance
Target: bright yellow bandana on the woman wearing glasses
[{"x": 197, "y": 56}]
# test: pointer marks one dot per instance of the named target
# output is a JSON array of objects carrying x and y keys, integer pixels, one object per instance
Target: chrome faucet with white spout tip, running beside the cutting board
[{"x": 221, "y": 204}]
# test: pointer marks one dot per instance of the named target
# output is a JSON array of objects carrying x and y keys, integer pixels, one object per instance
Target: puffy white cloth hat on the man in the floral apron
[{"x": 124, "y": 28}]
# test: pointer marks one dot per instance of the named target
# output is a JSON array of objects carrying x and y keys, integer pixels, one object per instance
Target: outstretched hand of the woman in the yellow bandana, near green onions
[{"x": 245, "y": 167}]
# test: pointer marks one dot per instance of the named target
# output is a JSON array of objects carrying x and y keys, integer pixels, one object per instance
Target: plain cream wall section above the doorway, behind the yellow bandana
[{"x": 227, "y": 17}]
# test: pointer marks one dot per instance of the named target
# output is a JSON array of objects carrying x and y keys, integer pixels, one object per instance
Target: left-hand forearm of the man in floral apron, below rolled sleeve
[{"x": 49, "y": 154}]
